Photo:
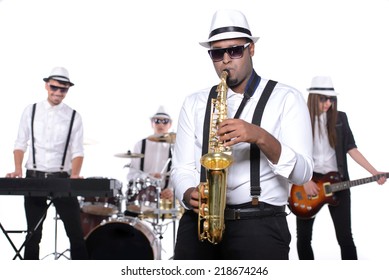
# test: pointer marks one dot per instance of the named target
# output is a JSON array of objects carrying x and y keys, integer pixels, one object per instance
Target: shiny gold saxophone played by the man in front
[{"x": 212, "y": 193}]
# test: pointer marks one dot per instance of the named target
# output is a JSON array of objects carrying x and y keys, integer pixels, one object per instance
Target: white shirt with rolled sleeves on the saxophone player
[{"x": 286, "y": 117}]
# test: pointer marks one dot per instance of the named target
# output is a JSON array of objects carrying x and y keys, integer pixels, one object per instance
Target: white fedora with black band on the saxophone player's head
[{"x": 228, "y": 24}]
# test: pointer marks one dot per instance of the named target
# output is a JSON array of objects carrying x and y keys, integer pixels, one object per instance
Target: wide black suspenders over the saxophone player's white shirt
[{"x": 255, "y": 190}]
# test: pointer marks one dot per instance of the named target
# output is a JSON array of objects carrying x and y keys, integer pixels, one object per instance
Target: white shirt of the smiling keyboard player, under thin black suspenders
[{"x": 51, "y": 128}]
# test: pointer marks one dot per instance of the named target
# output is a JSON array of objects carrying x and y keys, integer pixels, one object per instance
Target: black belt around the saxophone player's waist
[{"x": 262, "y": 210}]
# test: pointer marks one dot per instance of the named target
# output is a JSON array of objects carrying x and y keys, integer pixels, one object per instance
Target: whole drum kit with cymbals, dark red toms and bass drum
[{"x": 131, "y": 225}]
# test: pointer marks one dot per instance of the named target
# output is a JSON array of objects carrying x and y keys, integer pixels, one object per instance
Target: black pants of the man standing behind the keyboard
[{"x": 68, "y": 209}]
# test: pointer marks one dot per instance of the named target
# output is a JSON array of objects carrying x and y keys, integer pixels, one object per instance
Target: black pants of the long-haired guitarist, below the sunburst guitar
[{"x": 341, "y": 218}]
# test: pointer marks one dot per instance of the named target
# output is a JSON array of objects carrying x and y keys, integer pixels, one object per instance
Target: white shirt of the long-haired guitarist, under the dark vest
[{"x": 324, "y": 155}]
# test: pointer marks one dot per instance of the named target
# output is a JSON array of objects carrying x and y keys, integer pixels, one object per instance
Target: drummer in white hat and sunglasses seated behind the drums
[{"x": 157, "y": 151}]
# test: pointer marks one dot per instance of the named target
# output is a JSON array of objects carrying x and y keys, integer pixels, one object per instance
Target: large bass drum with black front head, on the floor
[{"x": 124, "y": 238}]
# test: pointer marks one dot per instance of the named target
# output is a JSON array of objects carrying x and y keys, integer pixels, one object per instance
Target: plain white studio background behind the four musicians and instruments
[{"x": 128, "y": 57}]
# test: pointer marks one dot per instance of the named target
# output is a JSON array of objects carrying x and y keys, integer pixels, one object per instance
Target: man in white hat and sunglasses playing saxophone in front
[{"x": 268, "y": 131}]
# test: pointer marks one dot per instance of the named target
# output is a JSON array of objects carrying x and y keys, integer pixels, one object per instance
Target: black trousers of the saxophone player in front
[{"x": 260, "y": 238}]
